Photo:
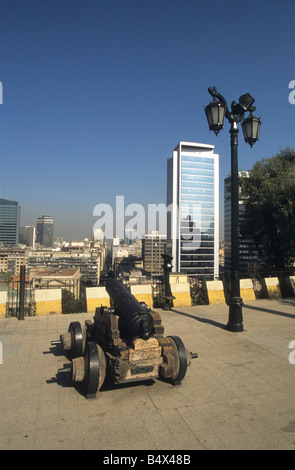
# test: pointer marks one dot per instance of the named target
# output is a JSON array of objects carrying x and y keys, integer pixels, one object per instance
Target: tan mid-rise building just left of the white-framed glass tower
[{"x": 153, "y": 246}]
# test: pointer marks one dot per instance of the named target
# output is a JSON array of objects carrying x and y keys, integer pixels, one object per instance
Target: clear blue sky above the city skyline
[{"x": 96, "y": 94}]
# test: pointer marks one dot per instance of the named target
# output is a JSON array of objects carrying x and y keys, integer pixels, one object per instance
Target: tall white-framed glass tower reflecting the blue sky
[{"x": 193, "y": 221}]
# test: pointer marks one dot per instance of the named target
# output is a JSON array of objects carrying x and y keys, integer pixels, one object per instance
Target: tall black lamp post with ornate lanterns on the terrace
[{"x": 215, "y": 112}]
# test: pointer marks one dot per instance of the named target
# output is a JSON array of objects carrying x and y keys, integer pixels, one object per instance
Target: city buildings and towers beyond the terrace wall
[{"x": 192, "y": 236}]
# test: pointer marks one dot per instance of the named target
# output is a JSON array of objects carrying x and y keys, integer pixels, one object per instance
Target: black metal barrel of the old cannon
[{"x": 135, "y": 319}]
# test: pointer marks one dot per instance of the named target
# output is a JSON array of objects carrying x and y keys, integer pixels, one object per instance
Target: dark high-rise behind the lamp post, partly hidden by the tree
[{"x": 247, "y": 256}]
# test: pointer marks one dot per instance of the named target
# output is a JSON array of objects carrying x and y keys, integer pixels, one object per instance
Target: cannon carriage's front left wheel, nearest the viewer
[{"x": 95, "y": 369}]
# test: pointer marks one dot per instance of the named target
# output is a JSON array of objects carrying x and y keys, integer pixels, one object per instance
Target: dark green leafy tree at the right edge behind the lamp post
[{"x": 270, "y": 204}]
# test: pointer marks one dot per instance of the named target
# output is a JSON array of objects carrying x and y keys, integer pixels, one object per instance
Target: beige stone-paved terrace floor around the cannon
[{"x": 238, "y": 394}]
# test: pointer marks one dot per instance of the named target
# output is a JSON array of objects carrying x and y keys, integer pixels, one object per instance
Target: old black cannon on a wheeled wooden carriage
[{"x": 124, "y": 343}]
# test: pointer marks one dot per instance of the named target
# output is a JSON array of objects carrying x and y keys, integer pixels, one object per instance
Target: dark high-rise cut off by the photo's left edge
[{"x": 9, "y": 222}]
